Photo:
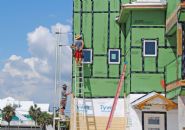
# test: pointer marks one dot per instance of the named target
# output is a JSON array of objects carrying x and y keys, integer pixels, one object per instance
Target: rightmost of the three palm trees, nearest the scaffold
[{"x": 44, "y": 120}]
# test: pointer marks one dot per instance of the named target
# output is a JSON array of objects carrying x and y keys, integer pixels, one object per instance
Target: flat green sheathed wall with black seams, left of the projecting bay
[{"x": 100, "y": 78}]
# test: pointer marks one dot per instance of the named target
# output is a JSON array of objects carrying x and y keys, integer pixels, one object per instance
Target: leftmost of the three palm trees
[{"x": 8, "y": 112}]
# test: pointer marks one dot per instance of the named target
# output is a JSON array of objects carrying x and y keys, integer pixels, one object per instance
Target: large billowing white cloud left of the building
[{"x": 32, "y": 78}]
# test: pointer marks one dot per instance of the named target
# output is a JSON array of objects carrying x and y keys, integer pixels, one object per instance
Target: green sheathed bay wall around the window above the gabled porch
[{"x": 146, "y": 72}]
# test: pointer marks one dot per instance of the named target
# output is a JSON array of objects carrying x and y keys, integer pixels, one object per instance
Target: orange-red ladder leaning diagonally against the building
[{"x": 116, "y": 97}]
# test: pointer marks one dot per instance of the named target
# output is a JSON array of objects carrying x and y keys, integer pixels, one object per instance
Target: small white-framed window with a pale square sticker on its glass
[{"x": 114, "y": 56}]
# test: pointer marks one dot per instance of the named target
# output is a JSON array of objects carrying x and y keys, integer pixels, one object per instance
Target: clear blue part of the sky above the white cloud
[{"x": 18, "y": 17}]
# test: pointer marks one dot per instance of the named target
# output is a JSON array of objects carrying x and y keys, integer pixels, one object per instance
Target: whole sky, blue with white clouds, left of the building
[{"x": 27, "y": 47}]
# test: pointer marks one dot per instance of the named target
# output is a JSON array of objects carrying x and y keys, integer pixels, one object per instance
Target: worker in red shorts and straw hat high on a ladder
[{"x": 78, "y": 47}]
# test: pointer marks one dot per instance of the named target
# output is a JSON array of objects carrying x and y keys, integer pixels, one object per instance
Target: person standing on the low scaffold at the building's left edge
[{"x": 64, "y": 95}]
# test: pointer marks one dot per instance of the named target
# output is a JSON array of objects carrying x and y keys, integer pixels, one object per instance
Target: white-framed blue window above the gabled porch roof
[{"x": 149, "y": 47}]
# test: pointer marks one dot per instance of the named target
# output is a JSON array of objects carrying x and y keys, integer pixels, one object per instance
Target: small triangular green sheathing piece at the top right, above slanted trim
[{"x": 172, "y": 6}]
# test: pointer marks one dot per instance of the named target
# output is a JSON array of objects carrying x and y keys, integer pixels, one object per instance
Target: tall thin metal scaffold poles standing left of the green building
[{"x": 61, "y": 41}]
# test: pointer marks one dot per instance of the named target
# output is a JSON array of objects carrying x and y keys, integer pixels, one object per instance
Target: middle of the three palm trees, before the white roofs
[{"x": 35, "y": 112}]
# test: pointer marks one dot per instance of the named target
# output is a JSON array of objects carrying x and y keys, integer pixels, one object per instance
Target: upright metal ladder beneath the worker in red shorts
[{"x": 79, "y": 95}]
